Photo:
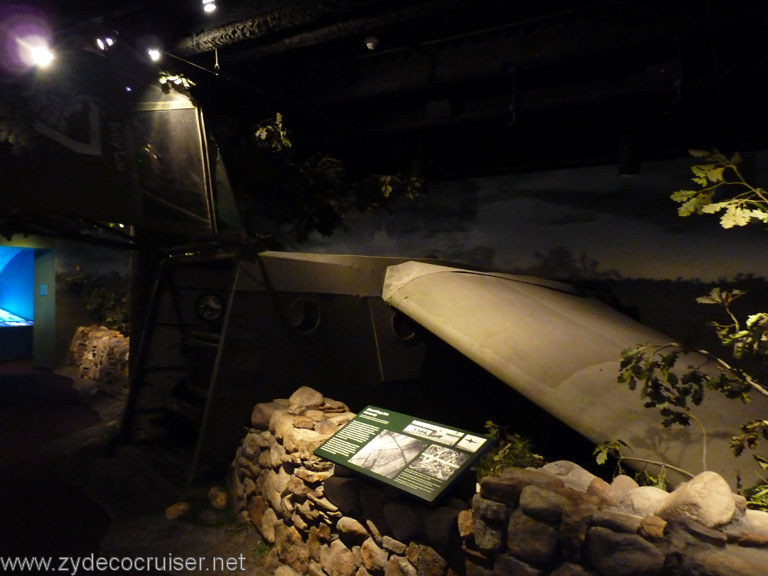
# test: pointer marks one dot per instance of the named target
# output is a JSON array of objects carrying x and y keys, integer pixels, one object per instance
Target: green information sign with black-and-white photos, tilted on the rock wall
[{"x": 417, "y": 456}]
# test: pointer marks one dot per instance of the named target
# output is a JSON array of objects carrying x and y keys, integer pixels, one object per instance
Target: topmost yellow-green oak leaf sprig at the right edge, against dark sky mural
[{"x": 722, "y": 188}]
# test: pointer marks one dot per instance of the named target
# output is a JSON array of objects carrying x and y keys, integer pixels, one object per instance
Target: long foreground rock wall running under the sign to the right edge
[{"x": 323, "y": 520}]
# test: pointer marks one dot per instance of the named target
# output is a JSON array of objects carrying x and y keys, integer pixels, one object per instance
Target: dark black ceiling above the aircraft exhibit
[{"x": 462, "y": 87}]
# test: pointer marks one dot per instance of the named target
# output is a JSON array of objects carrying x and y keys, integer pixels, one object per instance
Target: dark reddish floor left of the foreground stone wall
[{"x": 66, "y": 492}]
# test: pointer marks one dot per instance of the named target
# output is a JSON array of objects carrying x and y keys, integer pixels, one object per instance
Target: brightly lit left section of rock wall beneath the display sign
[{"x": 322, "y": 520}]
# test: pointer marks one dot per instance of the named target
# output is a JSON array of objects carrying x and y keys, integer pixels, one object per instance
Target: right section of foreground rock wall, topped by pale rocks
[{"x": 562, "y": 520}]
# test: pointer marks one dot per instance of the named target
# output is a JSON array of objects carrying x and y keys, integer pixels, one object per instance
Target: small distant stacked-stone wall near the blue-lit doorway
[{"x": 101, "y": 355}]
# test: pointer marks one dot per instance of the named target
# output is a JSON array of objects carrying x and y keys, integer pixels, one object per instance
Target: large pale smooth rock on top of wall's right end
[{"x": 706, "y": 498}]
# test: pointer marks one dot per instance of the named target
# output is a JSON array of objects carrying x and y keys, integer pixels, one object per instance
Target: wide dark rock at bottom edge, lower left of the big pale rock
[{"x": 623, "y": 554}]
